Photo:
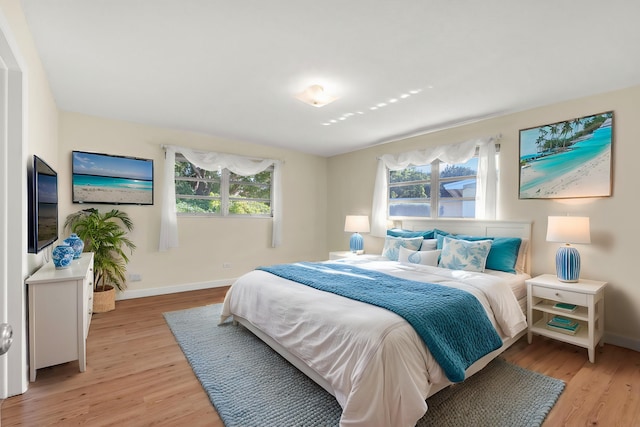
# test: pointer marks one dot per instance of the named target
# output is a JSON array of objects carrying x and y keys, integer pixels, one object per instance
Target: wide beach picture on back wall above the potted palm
[{"x": 116, "y": 180}]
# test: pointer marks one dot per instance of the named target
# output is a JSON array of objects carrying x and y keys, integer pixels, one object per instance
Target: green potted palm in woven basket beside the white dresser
[{"x": 104, "y": 234}]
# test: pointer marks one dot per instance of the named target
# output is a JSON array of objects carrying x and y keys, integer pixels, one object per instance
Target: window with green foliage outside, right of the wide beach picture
[{"x": 221, "y": 193}]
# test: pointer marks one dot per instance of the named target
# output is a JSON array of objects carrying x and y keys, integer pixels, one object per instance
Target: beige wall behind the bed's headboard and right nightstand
[{"x": 614, "y": 230}]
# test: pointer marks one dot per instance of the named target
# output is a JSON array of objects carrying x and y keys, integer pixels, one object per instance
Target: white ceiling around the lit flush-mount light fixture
[{"x": 232, "y": 68}]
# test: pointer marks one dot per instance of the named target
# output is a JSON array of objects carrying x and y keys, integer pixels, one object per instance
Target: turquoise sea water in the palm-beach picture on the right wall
[{"x": 547, "y": 168}]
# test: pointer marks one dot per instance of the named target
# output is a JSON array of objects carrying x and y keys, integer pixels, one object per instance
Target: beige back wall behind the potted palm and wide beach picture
[{"x": 205, "y": 243}]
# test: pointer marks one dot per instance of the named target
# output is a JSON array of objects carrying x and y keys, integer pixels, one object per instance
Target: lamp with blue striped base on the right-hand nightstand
[{"x": 567, "y": 230}]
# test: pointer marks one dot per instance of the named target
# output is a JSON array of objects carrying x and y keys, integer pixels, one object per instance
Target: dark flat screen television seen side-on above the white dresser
[{"x": 42, "y": 206}]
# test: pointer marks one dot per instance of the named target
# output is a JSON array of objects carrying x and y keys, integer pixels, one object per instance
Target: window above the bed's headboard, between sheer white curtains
[{"x": 411, "y": 190}]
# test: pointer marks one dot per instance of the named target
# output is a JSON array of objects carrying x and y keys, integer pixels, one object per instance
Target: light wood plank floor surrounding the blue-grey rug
[{"x": 137, "y": 376}]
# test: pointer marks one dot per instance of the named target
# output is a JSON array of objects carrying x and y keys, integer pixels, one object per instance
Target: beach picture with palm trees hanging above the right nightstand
[{"x": 568, "y": 159}]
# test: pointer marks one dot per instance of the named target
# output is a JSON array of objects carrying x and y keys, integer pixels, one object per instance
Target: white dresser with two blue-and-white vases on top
[{"x": 60, "y": 305}]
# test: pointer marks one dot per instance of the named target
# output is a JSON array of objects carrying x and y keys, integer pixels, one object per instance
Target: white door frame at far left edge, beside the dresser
[{"x": 13, "y": 212}]
